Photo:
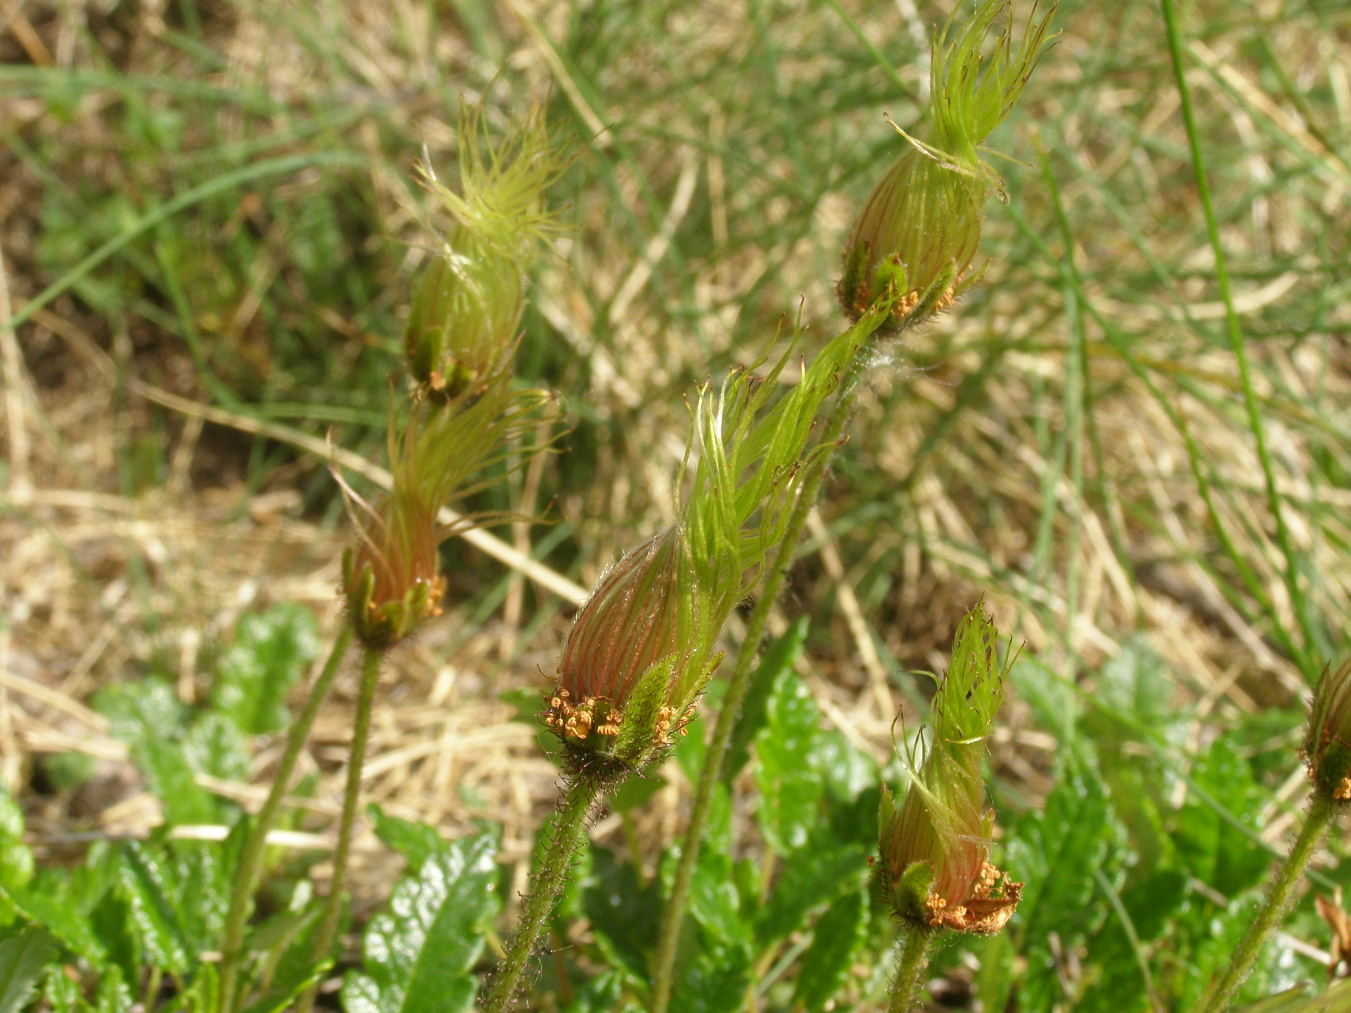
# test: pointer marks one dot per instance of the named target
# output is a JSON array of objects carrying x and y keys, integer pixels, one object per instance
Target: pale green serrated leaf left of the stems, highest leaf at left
[{"x": 270, "y": 654}]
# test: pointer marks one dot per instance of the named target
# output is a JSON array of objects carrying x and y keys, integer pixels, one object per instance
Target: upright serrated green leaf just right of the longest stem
[{"x": 787, "y": 775}]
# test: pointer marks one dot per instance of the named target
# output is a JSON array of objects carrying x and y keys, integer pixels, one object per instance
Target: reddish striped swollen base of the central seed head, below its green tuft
[{"x": 636, "y": 658}]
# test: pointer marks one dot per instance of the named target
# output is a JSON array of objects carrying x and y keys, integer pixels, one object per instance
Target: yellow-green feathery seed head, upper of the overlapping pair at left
[{"x": 468, "y": 305}]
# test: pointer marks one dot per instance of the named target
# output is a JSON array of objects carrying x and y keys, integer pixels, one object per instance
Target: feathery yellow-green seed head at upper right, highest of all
[{"x": 921, "y": 229}]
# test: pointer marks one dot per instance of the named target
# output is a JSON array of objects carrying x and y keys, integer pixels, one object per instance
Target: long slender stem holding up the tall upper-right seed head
[{"x": 737, "y": 688}]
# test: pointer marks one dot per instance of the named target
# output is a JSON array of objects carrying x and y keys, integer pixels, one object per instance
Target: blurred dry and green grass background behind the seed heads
[{"x": 210, "y": 222}]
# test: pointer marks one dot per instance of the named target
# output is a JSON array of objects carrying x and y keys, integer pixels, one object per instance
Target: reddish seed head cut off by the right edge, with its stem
[{"x": 1327, "y": 757}]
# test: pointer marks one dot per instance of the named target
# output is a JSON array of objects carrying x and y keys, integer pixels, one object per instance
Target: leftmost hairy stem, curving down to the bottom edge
[{"x": 256, "y": 845}]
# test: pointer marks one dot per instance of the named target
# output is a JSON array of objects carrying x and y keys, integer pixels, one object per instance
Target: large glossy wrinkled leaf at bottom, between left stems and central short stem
[{"x": 421, "y": 952}]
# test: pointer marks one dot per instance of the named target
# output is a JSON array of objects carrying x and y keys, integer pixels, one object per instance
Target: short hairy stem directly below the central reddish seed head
[{"x": 573, "y": 806}]
